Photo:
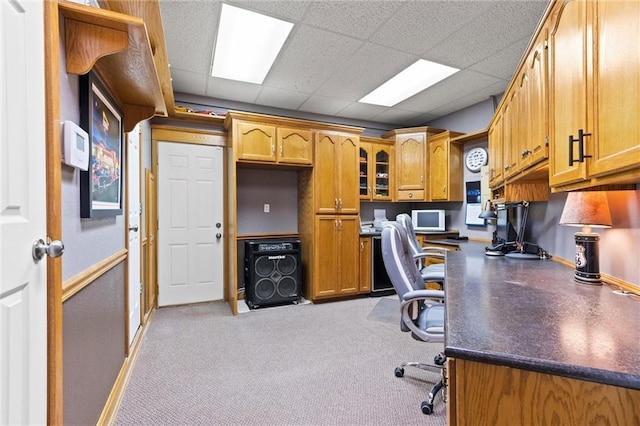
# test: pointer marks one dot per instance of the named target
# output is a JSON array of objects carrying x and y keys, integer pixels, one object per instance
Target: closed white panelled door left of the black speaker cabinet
[{"x": 190, "y": 229}]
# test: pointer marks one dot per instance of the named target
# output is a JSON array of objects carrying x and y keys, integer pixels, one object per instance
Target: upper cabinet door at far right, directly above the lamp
[{"x": 617, "y": 85}]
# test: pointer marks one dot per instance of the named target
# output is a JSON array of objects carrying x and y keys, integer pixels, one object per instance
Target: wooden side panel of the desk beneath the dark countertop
[{"x": 482, "y": 393}]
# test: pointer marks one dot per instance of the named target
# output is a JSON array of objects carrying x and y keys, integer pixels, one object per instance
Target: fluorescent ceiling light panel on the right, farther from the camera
[{"x": 414, "y": 79}]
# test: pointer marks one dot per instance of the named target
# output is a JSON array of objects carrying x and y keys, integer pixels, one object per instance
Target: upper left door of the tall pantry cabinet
[{"x": 325, "y": 177}]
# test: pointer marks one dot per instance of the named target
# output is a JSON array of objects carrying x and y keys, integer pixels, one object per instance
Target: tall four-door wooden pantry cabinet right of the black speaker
[{"x": 328, "y": 214}]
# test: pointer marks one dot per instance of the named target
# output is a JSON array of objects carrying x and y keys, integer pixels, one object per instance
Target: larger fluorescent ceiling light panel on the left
[{"x": 247, "y": 44}]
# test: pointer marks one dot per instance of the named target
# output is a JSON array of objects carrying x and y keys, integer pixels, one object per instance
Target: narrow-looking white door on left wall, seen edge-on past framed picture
[{"x": 133, "y": 207}]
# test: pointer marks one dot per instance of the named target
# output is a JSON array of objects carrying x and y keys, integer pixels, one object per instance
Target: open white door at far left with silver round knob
[{"x": 23, "y": 291}]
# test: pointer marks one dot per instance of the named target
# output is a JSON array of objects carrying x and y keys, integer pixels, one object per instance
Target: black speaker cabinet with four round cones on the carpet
[{"x": 272, "y": 271}]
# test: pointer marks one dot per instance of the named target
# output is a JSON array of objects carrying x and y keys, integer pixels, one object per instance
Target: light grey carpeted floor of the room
[{"x": 313, "y": 364}]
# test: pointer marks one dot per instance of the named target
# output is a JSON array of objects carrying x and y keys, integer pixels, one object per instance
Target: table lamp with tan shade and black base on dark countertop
[{"x": 587, "y": 209}]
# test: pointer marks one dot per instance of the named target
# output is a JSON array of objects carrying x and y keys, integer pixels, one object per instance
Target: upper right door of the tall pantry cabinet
[{"x": 347, "y": 171}]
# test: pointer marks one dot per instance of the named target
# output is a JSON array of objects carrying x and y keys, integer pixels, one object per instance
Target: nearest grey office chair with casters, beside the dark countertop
[{"x": 422, "y": 311}]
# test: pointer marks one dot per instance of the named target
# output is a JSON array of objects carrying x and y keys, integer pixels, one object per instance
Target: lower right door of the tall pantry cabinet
[{"x": 348, "y": 255}]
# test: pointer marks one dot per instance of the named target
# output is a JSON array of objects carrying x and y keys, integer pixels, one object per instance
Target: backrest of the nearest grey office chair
[{"x": 398, "y": 260}]
